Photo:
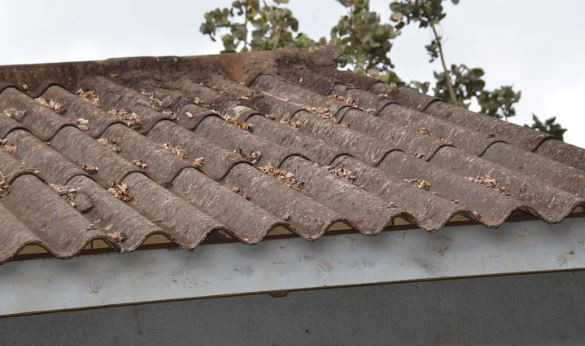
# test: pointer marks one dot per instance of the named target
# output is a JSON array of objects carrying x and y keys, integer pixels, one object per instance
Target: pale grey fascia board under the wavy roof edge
[{"x": 44, "y": 285}]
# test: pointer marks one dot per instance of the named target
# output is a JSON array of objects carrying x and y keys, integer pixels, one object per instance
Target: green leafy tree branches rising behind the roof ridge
[{"x": 250, "y": 25}]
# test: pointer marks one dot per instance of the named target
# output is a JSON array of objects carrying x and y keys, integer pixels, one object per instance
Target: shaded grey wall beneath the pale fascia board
[{"x": 547, "y": 309}]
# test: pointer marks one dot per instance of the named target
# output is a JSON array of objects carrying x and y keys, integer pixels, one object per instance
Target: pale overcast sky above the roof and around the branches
[{"x": 536, "y": 45}]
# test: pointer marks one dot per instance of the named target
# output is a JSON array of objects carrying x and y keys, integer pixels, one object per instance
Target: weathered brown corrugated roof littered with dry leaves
[{"x": 242, "y": 144}]
